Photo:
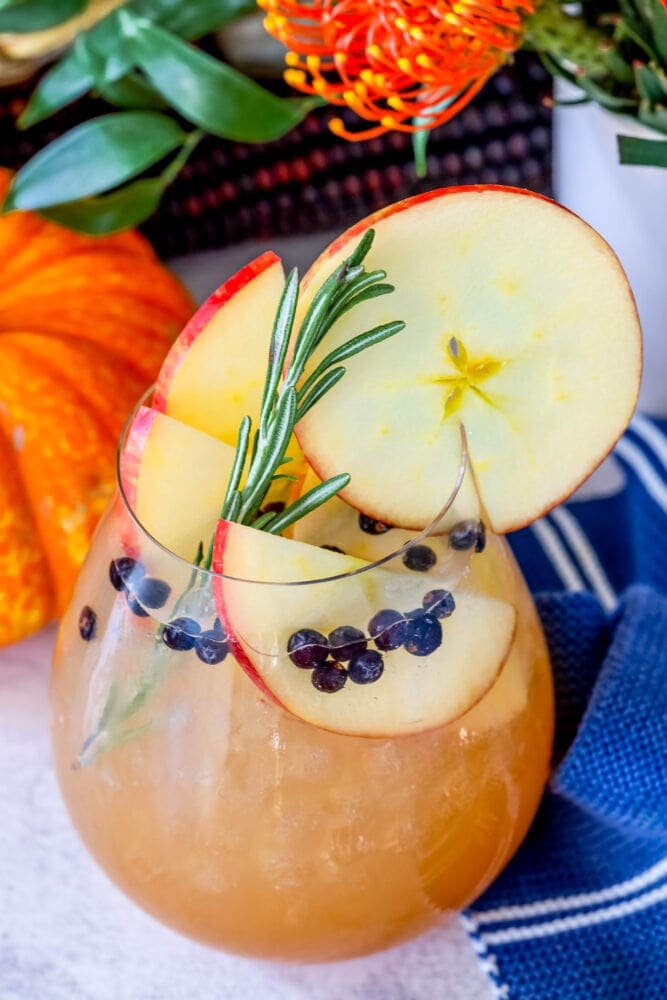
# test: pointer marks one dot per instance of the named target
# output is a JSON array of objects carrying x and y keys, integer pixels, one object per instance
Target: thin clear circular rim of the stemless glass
[{"x": 427, "y": 532}]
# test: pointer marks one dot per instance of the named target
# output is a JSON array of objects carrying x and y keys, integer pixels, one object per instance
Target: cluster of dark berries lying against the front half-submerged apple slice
[{"x": 418, "y": 631}]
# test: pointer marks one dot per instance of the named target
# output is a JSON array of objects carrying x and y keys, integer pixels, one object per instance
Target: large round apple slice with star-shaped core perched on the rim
[{"x": 520, "y": 325}]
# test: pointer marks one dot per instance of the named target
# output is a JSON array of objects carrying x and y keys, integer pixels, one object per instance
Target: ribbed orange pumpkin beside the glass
[{"x": 84, "y": 325}]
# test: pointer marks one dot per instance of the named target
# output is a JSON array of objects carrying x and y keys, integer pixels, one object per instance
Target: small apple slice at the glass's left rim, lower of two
[{"x": 174, "y": 478}]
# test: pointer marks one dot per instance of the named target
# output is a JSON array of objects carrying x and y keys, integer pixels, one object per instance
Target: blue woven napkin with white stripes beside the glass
[{"x": 581, "y": 911}]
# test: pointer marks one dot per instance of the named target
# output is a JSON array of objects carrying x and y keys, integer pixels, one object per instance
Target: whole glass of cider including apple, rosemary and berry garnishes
[{"x": 301, "y": 699}]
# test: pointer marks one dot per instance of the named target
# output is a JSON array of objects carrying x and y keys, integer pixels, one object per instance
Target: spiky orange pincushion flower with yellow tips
[{"x": 395, "y": 60}]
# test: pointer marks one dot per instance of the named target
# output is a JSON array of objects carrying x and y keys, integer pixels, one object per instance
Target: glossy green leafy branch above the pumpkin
[{"x": 140, "y": 60}]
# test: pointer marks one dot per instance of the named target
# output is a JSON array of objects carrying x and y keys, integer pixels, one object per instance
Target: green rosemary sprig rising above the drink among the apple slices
[{"x": 286, "y": 398}]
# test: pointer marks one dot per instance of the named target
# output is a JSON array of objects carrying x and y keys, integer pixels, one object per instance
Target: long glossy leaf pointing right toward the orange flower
[{"x": 207, "y": 92}]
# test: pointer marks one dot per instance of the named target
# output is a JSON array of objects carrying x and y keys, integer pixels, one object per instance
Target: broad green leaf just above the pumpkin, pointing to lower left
[{"x": 93, "y": 157}]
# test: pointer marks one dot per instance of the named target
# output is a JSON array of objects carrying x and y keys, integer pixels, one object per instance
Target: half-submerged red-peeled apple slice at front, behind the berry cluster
[{"x": 414, "y": 693}]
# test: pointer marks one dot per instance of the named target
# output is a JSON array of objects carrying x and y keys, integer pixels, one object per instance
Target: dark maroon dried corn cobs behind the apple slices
[{"x": 310, "y": 180}]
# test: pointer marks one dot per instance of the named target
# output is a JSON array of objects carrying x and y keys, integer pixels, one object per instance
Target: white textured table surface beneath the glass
[{"x": 66, "y": 933}]
